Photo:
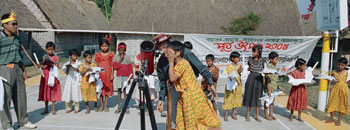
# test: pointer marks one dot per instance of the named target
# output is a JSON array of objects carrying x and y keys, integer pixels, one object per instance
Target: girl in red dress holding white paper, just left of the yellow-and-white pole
[{"x": 297, "y": 100}]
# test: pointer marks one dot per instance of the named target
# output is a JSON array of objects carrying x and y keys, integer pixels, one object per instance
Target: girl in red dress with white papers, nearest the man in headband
[{"x": 50, "y": 92}]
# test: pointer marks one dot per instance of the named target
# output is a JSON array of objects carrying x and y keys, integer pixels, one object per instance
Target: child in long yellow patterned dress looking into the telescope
[{"x": 193, "y": 109}]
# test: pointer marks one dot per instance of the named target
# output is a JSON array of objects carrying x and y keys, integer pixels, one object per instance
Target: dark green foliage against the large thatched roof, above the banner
[{"x": 243, "y": 25}]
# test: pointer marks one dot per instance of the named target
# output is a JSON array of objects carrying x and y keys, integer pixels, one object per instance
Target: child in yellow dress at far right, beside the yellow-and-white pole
[{"x": 338, "y": 99}]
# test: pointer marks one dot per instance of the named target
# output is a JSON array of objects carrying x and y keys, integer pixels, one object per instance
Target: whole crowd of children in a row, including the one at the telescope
[{"x": 83, "y": 81}]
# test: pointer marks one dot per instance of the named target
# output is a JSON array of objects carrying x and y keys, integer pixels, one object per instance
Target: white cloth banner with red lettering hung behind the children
[{"x": 289, "y": 48}]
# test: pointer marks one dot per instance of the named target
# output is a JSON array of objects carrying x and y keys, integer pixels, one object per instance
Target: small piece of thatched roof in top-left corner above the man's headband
[{"x": 24, "y": 17}]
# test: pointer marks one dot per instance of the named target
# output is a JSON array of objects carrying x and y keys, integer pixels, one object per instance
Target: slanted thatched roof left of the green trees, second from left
[{"x": 73, "y": 14}]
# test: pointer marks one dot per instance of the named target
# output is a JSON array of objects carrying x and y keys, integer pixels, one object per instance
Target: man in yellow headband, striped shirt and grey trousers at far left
[{"x": 12, "y": 69}]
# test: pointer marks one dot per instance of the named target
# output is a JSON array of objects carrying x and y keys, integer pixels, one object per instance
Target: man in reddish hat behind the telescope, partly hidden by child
[{"x": 162, "y": 70}]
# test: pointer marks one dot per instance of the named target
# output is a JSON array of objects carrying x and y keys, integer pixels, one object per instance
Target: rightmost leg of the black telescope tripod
[{"x": 150, "y": 107}]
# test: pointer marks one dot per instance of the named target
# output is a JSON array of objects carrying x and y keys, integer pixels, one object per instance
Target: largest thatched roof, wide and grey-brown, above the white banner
[{"x": 279, "y": 17}]
